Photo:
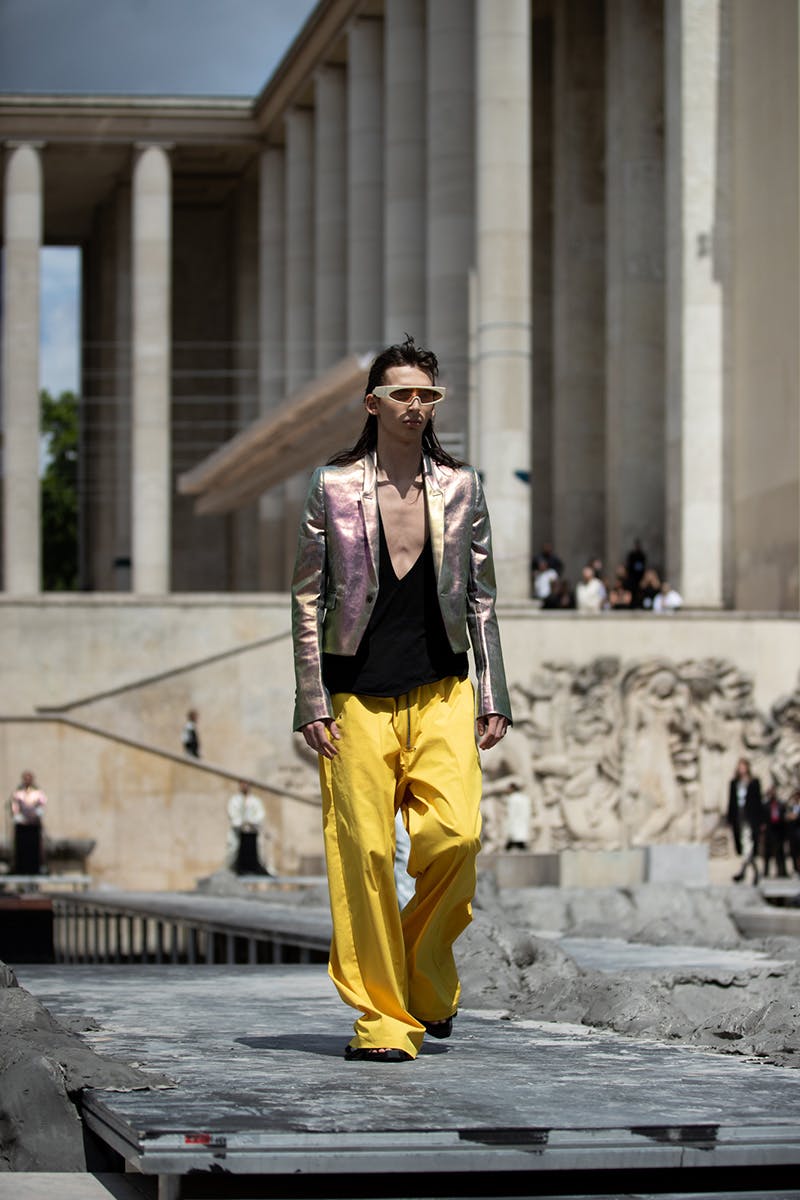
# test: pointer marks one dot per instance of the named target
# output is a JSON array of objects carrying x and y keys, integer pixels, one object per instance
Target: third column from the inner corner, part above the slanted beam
[{"x": 330, "y": 217}]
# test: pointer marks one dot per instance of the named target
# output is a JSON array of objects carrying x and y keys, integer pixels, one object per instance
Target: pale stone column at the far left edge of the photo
[{"x": 21, "y": 327}]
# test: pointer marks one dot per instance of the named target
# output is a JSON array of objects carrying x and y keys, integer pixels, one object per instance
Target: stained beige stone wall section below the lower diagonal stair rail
[{"x": 159, "y": 821}]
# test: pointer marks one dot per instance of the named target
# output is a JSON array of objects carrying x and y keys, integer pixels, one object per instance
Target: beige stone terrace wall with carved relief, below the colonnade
[{"x": 628, "y": 727}]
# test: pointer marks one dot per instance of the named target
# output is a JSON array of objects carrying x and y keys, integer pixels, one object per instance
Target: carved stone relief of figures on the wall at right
[{"x": 617, "y": 755}]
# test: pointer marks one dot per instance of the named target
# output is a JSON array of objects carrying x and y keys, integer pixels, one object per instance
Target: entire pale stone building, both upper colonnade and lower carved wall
[{"x": 590, "y": 209}]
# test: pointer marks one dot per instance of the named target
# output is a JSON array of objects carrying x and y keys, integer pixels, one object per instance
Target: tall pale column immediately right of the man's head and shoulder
[{"x": 503, "y": 250}]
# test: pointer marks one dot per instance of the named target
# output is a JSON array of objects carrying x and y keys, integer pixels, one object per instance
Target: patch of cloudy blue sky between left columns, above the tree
[{"x": 61, "y": 317}]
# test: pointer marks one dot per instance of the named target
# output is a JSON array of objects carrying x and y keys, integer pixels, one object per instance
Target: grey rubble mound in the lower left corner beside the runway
[{"x": 44, "y": 1067}]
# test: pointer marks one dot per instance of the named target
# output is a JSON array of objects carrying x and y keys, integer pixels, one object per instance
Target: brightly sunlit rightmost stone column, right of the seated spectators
[{"x": 695, "y": 305}]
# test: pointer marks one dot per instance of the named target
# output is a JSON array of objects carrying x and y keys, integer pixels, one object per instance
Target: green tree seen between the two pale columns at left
[{"x": 61, "y": 493}]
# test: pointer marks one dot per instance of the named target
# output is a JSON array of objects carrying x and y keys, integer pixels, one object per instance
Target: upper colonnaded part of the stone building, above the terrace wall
[{"x": 590, "y": 208}]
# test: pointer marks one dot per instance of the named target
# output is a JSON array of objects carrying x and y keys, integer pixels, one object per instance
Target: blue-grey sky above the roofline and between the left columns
[{"x": 131, "y": 47}]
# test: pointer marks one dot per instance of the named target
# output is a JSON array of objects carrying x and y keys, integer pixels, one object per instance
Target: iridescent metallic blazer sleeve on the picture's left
[{"x": 312, "y": 700}]
